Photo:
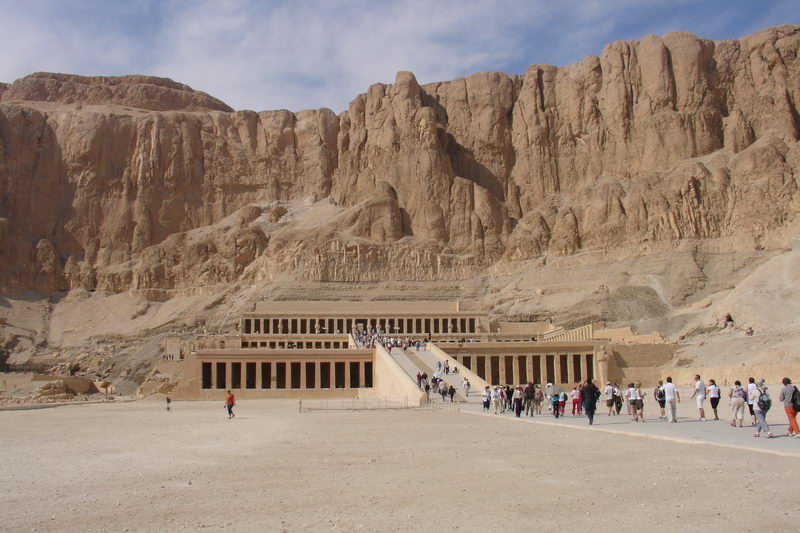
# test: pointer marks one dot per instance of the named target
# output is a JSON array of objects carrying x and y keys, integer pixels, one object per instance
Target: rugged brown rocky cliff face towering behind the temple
[{"x": 142, "y": 183}]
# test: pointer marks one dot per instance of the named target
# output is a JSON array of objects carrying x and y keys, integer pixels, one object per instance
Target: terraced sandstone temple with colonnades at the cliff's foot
[{"x": 339, "y": 349}]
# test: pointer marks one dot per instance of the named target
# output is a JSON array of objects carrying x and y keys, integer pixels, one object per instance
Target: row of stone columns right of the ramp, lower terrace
[{"x": 579, "y": 367}]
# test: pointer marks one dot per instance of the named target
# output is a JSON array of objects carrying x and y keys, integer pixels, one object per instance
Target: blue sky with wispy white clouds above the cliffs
[{"x": 321, "y": 53}]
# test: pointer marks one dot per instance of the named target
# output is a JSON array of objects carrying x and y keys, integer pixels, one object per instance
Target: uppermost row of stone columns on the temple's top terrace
[{"x": 300, "y": 326}]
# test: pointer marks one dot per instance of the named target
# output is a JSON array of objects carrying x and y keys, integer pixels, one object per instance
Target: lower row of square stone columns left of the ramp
[{"x": 266, "y": 374}]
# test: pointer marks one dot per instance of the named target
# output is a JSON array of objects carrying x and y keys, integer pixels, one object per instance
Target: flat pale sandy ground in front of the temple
[{"x": 136, "y": 467}]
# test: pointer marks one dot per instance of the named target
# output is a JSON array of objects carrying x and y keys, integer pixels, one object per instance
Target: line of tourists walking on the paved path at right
[{"x": 755, "y": 398}]
